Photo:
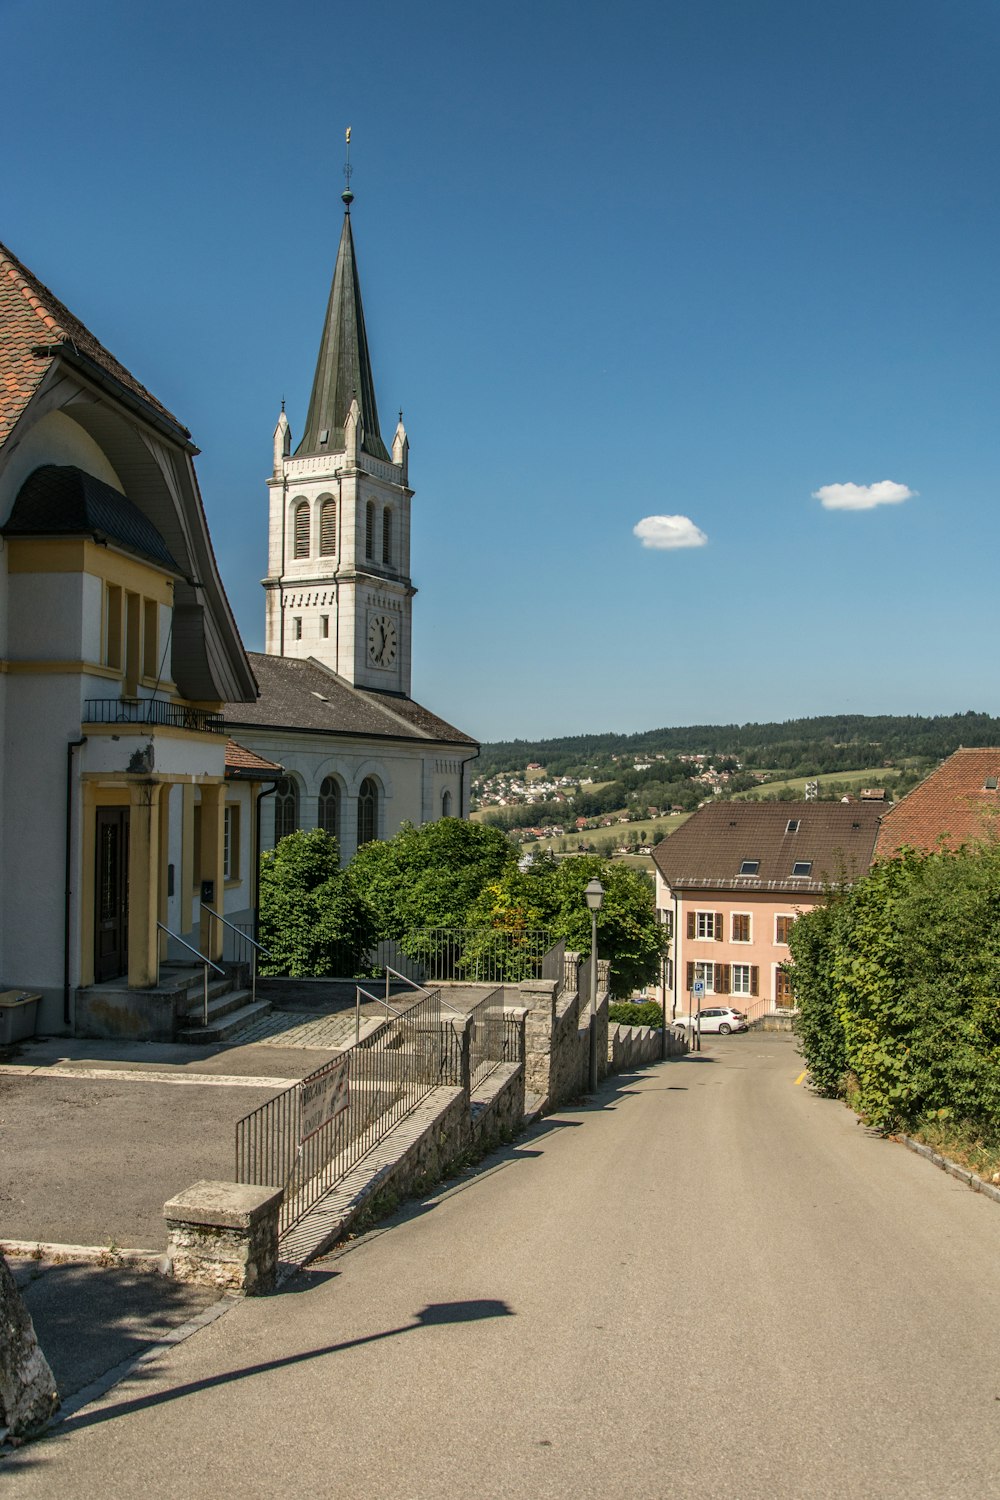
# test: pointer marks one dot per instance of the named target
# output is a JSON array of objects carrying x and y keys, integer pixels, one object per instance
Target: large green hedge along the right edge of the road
[{"x": 899, "y": 989}]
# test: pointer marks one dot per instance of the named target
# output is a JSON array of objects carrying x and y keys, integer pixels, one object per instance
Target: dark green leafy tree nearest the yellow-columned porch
[{"x": 314, "y": 923}]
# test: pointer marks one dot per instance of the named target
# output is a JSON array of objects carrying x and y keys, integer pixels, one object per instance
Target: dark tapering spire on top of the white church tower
[{"x": 344, "y": 370}]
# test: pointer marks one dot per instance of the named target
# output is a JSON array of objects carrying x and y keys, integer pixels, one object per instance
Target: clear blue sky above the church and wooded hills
[{"x": 698, "y": 260}]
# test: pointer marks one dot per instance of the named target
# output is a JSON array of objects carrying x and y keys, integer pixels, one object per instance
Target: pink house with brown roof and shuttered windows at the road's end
[{"x": 732, "y": 881}]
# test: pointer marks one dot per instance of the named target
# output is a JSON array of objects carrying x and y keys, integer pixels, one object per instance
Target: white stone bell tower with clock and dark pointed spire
[{"x": 338, "y": 572}]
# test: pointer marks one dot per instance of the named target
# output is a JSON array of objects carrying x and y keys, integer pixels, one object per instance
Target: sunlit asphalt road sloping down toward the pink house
[{"x": 707, "y": 1285}]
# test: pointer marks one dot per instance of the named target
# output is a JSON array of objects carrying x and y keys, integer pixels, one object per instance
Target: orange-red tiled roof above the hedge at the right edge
[{"x": 951, "y": 808}]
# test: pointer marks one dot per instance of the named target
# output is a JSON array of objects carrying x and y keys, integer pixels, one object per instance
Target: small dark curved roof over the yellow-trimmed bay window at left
[{"x": 59, "y": 500}]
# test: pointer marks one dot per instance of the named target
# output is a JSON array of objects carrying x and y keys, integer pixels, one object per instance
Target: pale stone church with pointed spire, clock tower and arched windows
[{"x": 335, "y": 703}]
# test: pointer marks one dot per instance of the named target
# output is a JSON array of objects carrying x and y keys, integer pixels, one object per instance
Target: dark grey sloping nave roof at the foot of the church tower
[{"x": 302, "y": 694}]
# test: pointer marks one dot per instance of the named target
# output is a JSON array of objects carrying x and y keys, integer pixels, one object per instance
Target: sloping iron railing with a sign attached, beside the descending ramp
[{"x": 388, "y": 1075}]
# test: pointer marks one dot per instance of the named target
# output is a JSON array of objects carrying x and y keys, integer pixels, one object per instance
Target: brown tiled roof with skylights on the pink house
[{"x": 834, "y": 839}]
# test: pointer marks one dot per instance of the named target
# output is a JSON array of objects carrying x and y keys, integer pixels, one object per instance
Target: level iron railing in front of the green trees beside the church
[{"x": 485, "y": 956}]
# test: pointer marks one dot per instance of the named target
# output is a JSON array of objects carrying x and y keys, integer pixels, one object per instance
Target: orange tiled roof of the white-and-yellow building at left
[{"x": 34, "y": 319}]
